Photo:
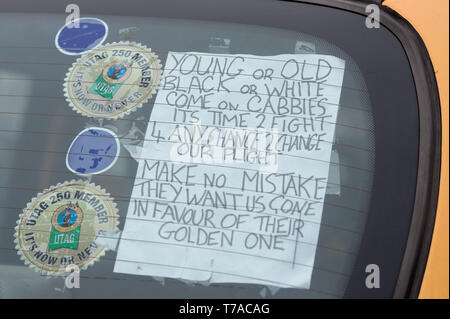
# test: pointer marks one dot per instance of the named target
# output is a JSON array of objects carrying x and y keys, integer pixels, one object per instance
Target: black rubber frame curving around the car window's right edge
[{"x": 429, "y": 156}]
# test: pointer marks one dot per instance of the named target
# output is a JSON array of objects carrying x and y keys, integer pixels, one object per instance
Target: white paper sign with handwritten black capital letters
[{"x": 232, "y": 176}]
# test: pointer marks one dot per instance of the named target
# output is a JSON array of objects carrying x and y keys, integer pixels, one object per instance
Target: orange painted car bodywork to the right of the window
[{"x": 431, "y": 21}]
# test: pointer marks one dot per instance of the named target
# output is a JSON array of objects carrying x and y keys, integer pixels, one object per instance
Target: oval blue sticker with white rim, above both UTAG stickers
[{"x": 81, "y": 35}]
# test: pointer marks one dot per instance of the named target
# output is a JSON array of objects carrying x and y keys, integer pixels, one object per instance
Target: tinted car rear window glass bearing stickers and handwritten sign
[{"x": 257, "y": 150}]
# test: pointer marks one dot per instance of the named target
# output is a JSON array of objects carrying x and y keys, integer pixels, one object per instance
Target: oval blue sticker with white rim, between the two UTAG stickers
[{"x": 93, "y": 151}]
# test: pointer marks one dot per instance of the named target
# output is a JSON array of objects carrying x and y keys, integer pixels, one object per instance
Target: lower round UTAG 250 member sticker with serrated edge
[{"x": 59, "y": 227}]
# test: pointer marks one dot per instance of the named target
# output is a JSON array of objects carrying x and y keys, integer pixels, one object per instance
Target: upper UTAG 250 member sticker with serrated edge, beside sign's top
[{"x": 112, "y": 80}]
